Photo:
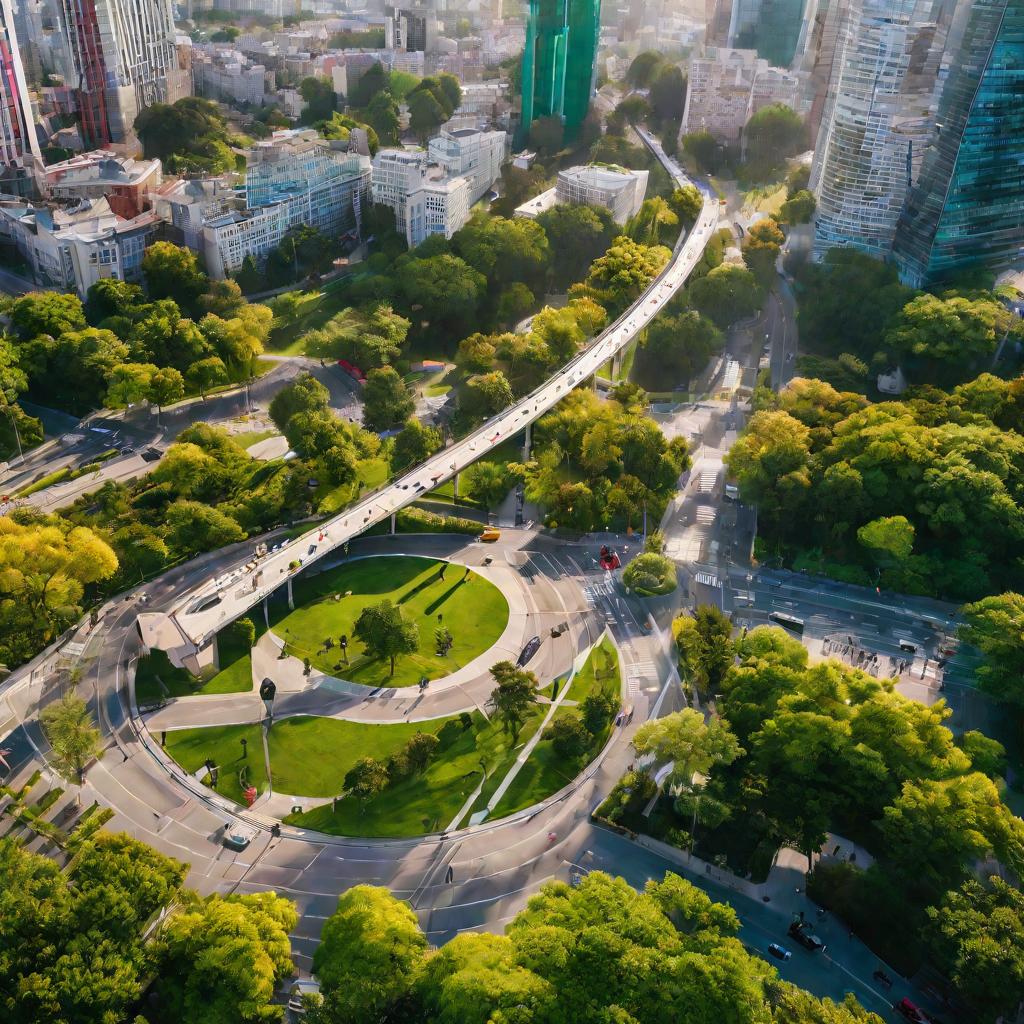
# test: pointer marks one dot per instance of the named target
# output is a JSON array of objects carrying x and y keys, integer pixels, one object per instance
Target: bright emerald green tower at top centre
[{"x": 559, "y": 63}]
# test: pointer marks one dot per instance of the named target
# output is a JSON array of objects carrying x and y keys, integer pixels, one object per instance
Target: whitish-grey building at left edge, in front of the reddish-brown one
[{"x": 71, "y": 249}]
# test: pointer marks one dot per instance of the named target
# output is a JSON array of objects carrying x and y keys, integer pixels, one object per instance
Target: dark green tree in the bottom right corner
[{"x": 977, "y": 934}]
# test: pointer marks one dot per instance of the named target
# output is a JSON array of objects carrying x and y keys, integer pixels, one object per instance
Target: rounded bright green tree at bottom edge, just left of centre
[{"x": 371, "y": 952}]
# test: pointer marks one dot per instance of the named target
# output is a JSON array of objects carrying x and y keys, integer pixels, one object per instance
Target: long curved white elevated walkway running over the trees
[{"x": 208, "y": 608}]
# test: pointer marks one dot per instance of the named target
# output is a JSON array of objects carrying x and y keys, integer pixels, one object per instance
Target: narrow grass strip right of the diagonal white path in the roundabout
[{"x": 547, "y": 772}]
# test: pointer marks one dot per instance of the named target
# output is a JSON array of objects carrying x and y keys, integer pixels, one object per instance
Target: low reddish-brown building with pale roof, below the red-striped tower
[{"x": 126, "y": 184}]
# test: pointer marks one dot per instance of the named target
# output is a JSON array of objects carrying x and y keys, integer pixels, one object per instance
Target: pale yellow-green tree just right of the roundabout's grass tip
[{"x": 695, "y": 746}]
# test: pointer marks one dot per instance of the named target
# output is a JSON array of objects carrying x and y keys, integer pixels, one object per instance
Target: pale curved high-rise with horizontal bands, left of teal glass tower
[{"x": 878, "y": 122}]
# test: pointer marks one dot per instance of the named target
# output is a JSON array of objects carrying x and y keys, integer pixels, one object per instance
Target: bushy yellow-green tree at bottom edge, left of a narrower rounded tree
[{"x": 224, "y": 957}]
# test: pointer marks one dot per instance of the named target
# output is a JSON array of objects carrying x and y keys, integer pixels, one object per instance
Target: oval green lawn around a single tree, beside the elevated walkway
[{"x": 474, "y": 609}]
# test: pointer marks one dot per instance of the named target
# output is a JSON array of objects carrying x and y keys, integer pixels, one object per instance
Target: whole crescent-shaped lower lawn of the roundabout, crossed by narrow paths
[{"x": 312, "y": 757}]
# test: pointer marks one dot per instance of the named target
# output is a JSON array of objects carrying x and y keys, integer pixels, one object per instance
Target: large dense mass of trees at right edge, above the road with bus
[{"x": 932, "y": 484}]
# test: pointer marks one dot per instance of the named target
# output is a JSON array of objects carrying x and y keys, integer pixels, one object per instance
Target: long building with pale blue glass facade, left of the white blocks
[{"x": 294, "y": 179}]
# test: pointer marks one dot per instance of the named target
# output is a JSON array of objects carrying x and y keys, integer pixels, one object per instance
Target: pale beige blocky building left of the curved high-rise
[{"x": 729, "y": 87}]
